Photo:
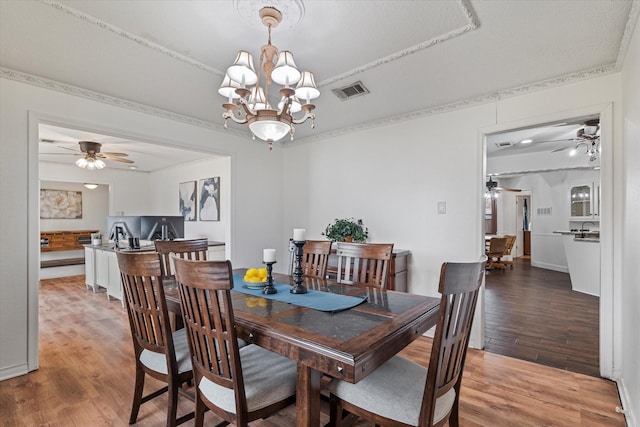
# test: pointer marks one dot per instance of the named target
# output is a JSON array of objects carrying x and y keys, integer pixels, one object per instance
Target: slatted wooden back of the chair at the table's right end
[{"x": 459, "y": 286}]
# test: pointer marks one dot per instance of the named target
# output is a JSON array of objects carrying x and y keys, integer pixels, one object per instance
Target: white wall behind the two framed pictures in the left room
[{"x": 163, "y": 193}]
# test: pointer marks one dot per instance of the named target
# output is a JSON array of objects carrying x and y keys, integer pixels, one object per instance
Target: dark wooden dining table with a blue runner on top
[{"x": 346, "y": 344}]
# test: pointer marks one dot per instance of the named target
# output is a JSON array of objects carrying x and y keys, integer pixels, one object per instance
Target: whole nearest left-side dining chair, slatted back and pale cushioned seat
[{"x": 238, "y": 384}]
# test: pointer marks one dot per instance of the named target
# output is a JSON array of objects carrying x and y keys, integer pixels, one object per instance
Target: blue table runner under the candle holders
[{"x": 317, "y": 300}]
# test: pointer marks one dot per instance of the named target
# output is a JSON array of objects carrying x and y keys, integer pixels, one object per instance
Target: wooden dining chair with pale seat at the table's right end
[{"x": 403, "y": 393}]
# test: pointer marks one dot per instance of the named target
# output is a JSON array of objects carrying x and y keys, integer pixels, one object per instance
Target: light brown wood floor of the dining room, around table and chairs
[{"x": 86, "y": 378}]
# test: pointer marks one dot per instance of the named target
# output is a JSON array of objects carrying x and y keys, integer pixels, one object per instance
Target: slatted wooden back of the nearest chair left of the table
[{"x": 208, "y": 317}]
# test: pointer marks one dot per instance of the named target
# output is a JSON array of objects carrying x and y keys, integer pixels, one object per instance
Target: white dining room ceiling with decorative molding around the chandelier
[{"x": 416, "y": 57}]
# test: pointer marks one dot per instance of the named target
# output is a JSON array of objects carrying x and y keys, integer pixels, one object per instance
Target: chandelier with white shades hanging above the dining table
[{"x": 248, "y": 99}]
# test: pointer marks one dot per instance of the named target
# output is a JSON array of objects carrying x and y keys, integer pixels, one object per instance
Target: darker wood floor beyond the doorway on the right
[{"x": 532, "y": 314}]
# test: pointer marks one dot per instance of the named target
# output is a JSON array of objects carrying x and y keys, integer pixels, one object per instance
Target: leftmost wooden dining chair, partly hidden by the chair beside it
[{"x": 159, "y": 353}]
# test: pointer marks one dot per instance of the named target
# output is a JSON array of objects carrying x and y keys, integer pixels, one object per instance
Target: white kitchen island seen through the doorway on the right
[{"x": 582, "y": 249}]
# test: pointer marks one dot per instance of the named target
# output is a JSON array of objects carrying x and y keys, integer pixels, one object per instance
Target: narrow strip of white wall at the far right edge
[{"x": 630, "y": 254}]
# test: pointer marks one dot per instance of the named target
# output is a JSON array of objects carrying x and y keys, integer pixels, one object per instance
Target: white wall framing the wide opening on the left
[{"x": 256, "y": 194}]
